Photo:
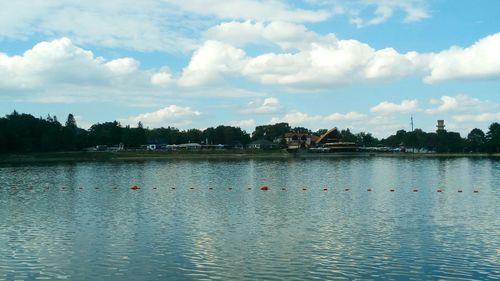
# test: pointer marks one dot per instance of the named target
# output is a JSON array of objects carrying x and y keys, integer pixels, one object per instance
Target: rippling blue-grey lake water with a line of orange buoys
[{"x": 82, "y": 221}]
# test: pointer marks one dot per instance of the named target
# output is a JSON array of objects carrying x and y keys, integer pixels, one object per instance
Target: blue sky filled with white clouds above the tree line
[{"x": 366, "y": 65}]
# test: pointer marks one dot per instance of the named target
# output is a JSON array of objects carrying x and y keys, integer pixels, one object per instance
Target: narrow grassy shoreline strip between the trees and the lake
[{"x": 95, "y": 156}]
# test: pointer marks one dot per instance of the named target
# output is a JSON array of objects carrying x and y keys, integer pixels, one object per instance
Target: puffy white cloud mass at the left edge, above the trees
[{"x": 59, "y": 71}]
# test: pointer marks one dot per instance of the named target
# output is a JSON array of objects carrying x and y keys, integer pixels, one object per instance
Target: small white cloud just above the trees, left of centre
[{"x": 172, "y": 115}]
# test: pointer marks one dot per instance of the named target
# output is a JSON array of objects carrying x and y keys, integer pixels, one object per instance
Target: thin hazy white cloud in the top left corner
[{"x": 146, "y": 25}]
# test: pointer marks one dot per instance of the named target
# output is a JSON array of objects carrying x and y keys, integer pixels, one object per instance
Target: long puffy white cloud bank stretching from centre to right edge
[{"x": 324, "y": 61}]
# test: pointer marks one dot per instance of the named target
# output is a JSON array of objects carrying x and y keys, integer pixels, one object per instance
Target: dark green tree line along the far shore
[{"x": 26, "y": 133}]
